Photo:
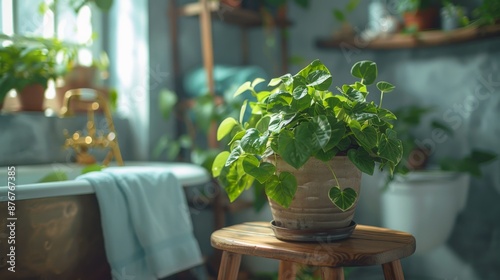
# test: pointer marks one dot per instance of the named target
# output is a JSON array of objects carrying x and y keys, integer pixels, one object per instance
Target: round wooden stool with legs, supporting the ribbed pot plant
[{"x": 366, "y": 246}]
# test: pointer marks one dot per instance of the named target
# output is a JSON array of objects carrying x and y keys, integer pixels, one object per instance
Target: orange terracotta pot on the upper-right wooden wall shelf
[{"x": 419, "y": 15}]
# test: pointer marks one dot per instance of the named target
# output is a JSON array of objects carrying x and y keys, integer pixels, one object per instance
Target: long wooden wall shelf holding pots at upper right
[{"x": 417, "y": 40}]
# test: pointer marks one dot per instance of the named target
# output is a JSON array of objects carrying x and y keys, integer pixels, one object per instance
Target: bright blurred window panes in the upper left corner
[{"x": 53, "y": 18}]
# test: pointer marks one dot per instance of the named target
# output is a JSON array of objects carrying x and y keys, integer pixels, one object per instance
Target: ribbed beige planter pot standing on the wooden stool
[{"x": 311, "y": 208}]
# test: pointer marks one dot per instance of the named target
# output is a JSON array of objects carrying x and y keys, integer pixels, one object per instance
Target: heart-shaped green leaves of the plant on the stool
[{"x": 298, "y": 118}]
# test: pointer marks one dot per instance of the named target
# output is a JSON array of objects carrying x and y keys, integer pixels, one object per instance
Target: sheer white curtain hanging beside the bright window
[{"x": 129, "y": 65}]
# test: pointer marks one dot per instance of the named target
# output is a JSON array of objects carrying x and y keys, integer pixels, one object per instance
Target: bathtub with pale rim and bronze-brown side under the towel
[{"x": 58, "y": 231}]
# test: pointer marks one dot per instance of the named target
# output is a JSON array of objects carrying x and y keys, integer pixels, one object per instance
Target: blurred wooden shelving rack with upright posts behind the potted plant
[{"x": 207, "y": 10}]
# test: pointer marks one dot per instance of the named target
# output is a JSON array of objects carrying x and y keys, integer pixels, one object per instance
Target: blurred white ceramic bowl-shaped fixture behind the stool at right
[{"x": 426, "y": 204}]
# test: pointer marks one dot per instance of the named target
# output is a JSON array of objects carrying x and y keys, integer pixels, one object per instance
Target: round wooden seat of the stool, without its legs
[{"x": 366, "y": 246}]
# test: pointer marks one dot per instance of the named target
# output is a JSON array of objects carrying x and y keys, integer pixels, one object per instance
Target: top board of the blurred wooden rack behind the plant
[{"x": 228, "y": 14}]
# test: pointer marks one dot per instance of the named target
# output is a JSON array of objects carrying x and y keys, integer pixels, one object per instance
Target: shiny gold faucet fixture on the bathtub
[{"x": 80, "y": 142}]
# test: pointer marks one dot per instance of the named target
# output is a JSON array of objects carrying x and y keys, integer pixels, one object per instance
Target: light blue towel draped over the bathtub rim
[{"x": 146, "y": 225}]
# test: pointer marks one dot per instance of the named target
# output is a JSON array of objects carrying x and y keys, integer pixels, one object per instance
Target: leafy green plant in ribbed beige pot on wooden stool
[{"x": 306, "y": 147}]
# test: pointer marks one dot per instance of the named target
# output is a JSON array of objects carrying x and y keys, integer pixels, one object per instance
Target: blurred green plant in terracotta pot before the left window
[{"x": 30, "y": 62}]
